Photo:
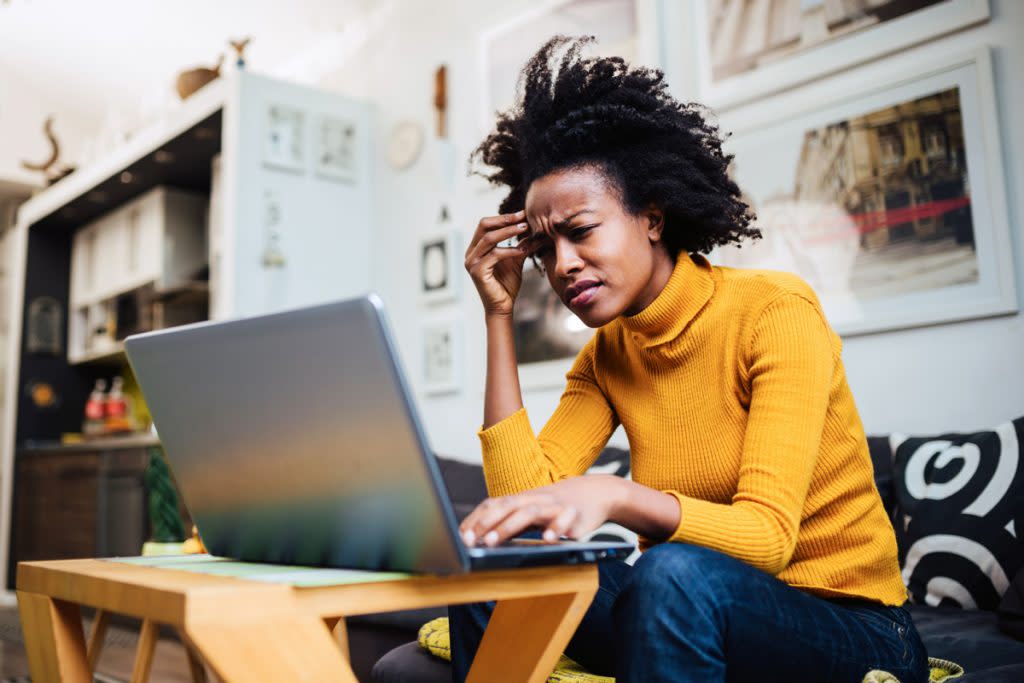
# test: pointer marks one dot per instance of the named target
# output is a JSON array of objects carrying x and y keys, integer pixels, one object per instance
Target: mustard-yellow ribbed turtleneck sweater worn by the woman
[{"x": 732, "y": 392}]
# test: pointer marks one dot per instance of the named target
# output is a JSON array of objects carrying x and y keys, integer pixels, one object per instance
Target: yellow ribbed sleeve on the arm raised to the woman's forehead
[{"x": 516, "y": 460}]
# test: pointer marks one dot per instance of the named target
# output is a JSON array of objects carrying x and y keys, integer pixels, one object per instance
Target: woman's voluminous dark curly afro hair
[{"x": 603, "y": 113}]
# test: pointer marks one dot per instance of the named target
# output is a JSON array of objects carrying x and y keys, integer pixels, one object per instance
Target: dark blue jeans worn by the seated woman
[{"x": 690, "y": 614}]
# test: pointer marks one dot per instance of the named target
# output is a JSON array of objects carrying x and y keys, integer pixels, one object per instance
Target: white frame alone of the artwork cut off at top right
[{"x": 828, "y": 57}]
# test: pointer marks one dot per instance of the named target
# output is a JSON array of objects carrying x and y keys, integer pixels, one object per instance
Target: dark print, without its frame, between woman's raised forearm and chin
[{"x": 544, "y": 329}]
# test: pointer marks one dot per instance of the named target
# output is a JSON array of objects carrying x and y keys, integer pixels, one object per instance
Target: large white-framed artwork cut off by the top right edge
[{"x": 749, "y": 50}]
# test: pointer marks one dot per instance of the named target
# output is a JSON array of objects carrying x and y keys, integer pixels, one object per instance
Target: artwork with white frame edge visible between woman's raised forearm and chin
[{"x": 548, "y": 335}]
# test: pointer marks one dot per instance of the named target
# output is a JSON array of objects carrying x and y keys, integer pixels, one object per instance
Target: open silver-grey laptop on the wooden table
[{"x": 294, "y": 440}]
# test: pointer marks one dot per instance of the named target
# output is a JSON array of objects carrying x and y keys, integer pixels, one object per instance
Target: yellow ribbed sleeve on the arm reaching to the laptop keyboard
[{"x": 789, "y": 365}]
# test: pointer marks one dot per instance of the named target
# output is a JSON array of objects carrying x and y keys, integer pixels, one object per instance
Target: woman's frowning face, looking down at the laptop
[{"x": 602, "y": 261}]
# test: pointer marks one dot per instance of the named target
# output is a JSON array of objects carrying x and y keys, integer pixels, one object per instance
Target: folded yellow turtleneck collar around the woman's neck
[{"x": 689, "y": 289}]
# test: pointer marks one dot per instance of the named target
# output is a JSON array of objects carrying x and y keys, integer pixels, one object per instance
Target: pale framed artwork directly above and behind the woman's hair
[{"x": 618, "y": 26}]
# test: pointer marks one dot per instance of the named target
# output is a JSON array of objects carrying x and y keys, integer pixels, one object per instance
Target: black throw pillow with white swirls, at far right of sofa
[{"x": 960, "y": 509}]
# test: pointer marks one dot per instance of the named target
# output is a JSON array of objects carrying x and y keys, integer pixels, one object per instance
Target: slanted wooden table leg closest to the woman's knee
[{"x": 526, "y": 637}]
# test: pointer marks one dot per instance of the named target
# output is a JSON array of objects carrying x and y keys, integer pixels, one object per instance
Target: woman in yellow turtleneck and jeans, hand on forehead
[{"x": 769, "y": 553}]
